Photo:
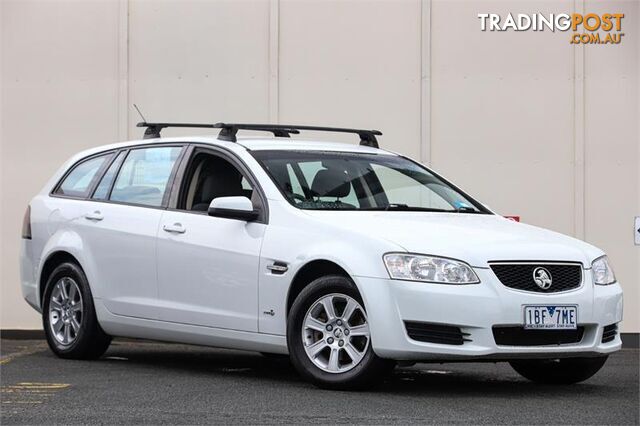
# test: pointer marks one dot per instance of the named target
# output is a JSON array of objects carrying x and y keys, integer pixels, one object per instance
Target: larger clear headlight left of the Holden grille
[{"x": 429, "y": 269}]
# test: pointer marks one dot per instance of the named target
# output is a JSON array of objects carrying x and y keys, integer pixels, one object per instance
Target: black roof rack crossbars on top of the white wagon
[{"x": 228, "y": 131}]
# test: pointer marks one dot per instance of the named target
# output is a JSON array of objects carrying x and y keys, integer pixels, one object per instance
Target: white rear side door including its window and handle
[{"x": 120, "y": 227}]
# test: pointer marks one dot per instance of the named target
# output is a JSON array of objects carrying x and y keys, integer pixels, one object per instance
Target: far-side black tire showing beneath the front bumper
[{"x": 563, "y": 371}]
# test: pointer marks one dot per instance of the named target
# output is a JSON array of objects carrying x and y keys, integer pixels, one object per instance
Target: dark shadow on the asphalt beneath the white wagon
[{"x": 433, "y": 380}]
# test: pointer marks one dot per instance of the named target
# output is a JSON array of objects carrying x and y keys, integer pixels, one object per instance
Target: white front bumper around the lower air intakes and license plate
[{"x": 475, "y": 309}]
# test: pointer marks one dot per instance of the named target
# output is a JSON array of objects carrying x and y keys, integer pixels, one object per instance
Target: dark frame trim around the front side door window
[{"x": 228, "y": 155}]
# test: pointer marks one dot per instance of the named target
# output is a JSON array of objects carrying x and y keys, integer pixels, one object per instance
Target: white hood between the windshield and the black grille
[{"x": 473, "y": 238}]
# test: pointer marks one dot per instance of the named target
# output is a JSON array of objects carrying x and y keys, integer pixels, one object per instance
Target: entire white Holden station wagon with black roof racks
[{"x": 349, "y": 258}]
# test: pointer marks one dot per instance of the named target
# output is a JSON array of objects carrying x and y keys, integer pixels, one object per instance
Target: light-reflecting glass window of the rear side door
[{"x": 144, "y": 176}]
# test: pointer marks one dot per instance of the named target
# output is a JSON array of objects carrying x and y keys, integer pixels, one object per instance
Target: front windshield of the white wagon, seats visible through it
[{"x": 319, "y": 180}]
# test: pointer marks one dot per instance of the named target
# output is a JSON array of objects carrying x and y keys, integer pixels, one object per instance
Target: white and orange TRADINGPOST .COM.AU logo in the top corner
[{"x": 591, "y": 28}]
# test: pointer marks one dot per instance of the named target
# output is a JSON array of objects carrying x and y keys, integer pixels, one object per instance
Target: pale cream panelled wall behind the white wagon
[{"x": 525, "y": 121}]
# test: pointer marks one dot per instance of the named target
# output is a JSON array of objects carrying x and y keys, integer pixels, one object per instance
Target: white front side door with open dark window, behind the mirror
[{"x": 208, "y": 266}]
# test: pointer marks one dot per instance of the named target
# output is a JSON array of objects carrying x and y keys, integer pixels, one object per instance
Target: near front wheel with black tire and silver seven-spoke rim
[{"x": 340, "y": 372}]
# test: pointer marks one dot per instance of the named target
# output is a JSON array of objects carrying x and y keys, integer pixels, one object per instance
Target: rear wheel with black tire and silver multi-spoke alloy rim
[{"x": 68, "y": 305}]
